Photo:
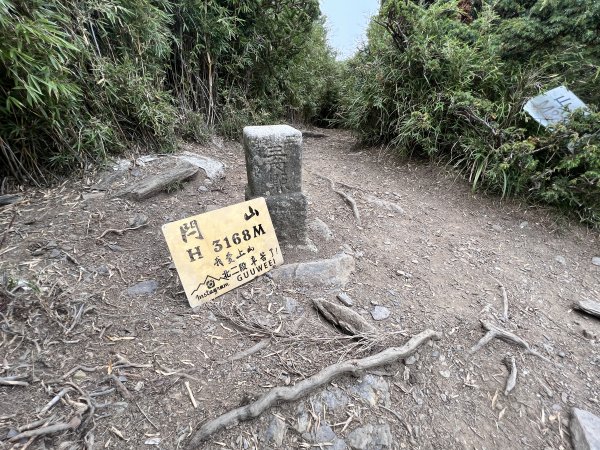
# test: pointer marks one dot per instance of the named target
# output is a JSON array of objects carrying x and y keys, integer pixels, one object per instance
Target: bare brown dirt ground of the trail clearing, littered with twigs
[{"x": 440, "y": 264}]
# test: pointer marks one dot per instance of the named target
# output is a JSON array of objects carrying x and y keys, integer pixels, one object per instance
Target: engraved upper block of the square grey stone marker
[{"x": 273, "y": 159}]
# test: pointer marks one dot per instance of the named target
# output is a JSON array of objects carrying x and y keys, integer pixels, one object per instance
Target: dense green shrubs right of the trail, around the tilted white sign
[{"x": 450, "y": 82}]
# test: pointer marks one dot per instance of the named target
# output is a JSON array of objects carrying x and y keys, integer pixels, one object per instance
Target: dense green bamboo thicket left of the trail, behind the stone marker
[{"x": 82, "y": 79}]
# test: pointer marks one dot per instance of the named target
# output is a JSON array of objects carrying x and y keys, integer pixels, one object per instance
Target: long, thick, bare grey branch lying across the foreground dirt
[{"x": 291, "y": 393}]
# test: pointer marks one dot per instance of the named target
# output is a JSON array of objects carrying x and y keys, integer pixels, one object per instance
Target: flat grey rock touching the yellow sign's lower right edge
[{"x": 334, "y": 272}]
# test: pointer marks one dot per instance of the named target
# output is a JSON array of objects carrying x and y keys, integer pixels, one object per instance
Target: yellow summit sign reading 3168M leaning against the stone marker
[{"x": 220, "y": 250}]
